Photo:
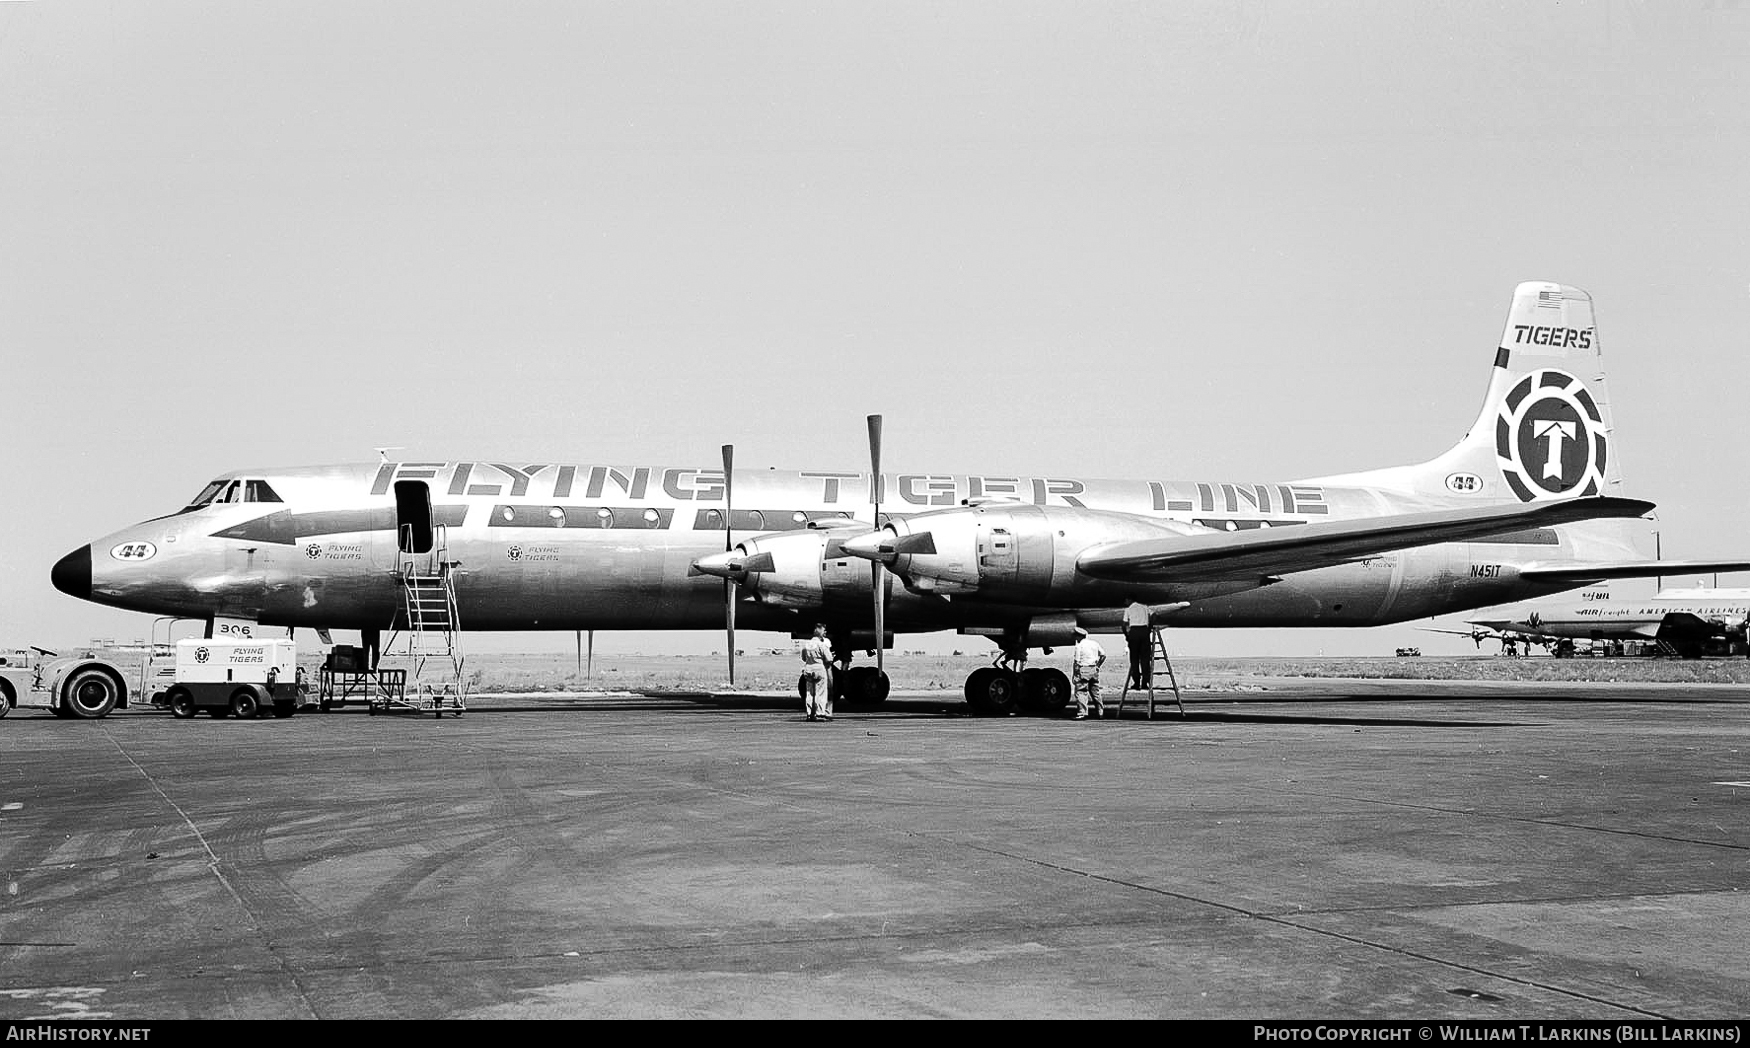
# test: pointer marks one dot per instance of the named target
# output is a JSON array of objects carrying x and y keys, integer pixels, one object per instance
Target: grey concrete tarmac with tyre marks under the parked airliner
[{"x": 1313, "y": 849}]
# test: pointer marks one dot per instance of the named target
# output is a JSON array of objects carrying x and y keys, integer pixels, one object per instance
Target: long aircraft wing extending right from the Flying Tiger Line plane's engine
[{"x": 1275, "y": 552}]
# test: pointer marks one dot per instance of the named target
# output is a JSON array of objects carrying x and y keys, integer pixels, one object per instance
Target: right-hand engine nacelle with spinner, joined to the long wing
[{"x": 1009, "y": 552}]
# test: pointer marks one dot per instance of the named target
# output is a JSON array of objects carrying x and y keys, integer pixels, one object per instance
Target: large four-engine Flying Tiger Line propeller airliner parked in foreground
[{"x": 1530, "y": 503}]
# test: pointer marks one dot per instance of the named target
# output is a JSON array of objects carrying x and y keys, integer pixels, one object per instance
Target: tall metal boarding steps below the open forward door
[{"x": 433, "y": 629}]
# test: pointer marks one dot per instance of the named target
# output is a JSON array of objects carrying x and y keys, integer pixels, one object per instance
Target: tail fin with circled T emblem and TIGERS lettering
[{"x": 1544, "y": 431}]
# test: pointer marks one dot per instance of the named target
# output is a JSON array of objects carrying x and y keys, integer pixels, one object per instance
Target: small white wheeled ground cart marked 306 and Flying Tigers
[{"x": 237, "y": 678}]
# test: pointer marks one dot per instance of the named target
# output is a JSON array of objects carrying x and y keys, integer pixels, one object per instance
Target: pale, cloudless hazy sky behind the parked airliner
[{"x": 1154, "y": 241}]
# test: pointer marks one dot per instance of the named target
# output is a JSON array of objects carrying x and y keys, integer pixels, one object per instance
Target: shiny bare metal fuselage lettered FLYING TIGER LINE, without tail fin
[{"x": 563, "y": 547}]
